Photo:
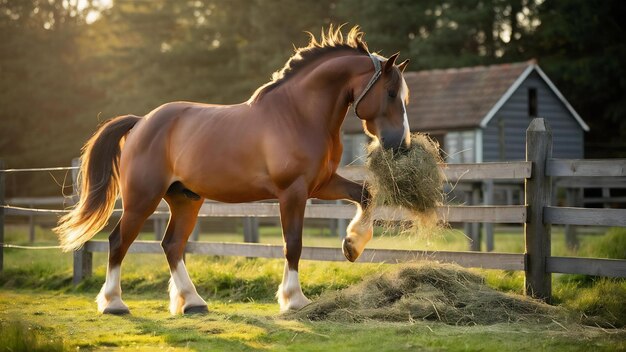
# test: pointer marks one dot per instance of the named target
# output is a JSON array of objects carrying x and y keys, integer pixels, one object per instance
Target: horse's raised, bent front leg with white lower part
[{"x": 361, "y": 229}]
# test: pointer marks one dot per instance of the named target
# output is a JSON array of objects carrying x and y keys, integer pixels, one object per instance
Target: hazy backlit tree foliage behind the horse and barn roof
[{"x": 67, "y": 65}]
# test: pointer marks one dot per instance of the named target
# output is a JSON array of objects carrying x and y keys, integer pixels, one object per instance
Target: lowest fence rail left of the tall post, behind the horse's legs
[{"x": 504, "y": 261}]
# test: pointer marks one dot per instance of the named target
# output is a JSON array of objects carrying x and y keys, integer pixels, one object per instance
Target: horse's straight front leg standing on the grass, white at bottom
[{"x": 292, "y": 204}]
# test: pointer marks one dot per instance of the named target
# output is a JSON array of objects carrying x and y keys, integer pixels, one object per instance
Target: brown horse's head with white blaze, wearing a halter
[{"x": 382, "y": 104}]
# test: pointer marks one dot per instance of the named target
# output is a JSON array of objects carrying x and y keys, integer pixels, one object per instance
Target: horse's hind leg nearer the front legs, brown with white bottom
[{"x": 184, "y": 209}]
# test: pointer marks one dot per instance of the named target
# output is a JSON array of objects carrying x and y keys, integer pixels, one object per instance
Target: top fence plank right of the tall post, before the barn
[{"x": 586, "y": 167}]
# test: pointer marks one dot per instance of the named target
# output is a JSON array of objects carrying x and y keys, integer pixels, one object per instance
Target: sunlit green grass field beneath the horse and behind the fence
[{"x": 41, "y": 310}]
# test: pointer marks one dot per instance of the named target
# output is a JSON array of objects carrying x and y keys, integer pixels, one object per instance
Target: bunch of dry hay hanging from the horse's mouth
[{"x": 411, "y": 179}]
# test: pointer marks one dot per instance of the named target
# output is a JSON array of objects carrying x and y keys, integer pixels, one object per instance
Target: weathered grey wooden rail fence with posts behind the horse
[{"x": 537, "y": 215}]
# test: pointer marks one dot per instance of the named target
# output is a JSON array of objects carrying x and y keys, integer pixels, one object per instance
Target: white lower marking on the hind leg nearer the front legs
[{"x": 183, "y": 293}]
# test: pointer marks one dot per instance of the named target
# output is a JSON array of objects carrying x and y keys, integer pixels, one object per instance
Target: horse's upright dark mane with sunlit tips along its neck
[{"x": 331, "y": 41}]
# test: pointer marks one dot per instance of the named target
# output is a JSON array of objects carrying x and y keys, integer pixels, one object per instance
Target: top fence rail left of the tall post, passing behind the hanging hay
[{"x": 465, "y": 172}]
